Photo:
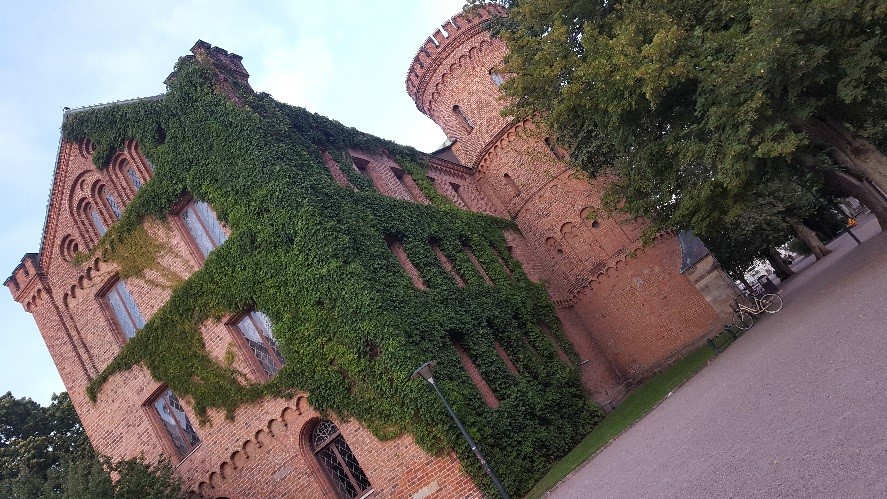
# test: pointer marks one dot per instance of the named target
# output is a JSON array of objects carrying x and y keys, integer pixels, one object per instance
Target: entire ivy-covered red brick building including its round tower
[{"x": 244, "y": 287}]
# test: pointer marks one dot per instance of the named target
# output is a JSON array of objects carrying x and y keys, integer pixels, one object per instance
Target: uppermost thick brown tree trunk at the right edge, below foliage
[{"x": 851, "y": 151}]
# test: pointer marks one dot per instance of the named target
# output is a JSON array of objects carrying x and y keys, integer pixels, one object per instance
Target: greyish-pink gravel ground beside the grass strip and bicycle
[{"x": 797, "y": 407}]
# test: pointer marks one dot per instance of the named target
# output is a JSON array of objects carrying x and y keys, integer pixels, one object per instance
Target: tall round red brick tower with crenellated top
[{"x": 624, "y": 306}]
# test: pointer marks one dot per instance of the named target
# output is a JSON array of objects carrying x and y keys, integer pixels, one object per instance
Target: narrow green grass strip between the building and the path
[{"x": 638, "y": 403}]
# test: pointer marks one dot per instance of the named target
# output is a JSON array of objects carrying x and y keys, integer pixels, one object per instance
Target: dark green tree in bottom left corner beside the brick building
[{"x": 44, "y": 453}]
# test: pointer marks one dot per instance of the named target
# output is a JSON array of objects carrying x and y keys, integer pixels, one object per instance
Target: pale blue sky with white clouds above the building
[{"x": 345, "y": 59}]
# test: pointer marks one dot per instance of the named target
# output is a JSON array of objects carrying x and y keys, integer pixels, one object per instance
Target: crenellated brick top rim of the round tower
[{"x": 441, "y": 43}]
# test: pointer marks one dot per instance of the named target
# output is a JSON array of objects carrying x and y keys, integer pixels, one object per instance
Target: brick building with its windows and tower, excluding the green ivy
[{"x": 625, "y": 308}]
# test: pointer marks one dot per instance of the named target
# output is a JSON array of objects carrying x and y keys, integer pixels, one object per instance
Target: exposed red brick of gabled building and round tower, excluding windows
[{"x": 624, "y": 308}]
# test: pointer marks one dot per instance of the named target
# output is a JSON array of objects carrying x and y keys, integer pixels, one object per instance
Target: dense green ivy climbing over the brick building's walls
[{"x": 312, "y": 255}]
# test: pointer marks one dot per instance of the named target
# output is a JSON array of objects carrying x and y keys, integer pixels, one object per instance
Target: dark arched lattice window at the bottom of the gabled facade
[{"x": 337, "y": 461}]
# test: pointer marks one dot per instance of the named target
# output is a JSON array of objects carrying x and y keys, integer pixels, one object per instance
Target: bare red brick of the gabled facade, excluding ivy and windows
[{"x": 258, "y": 454}]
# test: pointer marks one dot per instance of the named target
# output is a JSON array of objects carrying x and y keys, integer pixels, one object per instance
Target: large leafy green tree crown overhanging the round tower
[{"x": 690, "y": 103}]
